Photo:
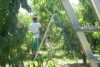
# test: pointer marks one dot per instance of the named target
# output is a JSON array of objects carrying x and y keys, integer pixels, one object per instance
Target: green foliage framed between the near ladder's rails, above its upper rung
[{"x": 87, "y": 16}]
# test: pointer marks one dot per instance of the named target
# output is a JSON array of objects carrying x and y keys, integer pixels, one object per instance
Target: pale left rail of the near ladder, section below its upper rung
[{"x": 87, "y": 49}]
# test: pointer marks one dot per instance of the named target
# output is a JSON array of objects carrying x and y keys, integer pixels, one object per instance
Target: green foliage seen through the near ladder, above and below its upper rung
[{"x": 87, "y": 18}]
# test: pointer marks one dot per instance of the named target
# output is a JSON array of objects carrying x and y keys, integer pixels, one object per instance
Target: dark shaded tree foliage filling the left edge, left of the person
[{"x": 11, "y": 35}]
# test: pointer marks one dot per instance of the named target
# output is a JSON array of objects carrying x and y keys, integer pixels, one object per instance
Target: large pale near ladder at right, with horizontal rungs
[{"x": 80, "y": 31}]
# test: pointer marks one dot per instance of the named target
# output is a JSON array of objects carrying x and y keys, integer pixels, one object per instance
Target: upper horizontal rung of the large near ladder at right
[{"x": 90, "y": 29}]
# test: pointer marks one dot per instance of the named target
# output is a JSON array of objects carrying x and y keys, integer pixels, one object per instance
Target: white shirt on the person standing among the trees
[{"x": 34, "y": 27}]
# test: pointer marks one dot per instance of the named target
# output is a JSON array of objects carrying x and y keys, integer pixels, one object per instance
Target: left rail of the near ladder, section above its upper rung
[{"x": 70, "y": 14}]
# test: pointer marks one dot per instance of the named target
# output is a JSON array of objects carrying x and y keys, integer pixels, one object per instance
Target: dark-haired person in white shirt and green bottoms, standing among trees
[{"x": 34, "y": 28}]
